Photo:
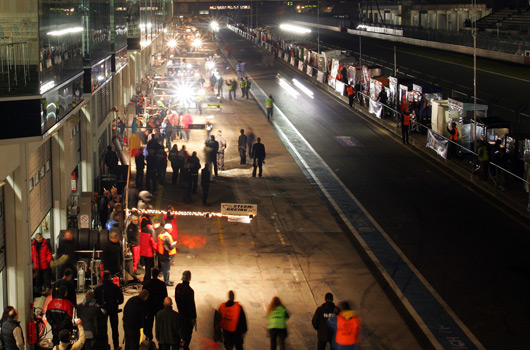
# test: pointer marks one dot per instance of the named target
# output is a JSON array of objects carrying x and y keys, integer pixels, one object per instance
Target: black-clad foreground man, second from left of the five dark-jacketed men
[{"x": 133, "y": 319}]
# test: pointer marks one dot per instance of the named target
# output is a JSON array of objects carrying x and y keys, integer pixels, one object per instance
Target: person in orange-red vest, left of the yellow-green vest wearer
[{"x": 233, "y": 323}]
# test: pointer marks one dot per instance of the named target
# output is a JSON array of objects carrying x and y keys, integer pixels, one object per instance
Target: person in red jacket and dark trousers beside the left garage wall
[{"x": 41, "y": 256}]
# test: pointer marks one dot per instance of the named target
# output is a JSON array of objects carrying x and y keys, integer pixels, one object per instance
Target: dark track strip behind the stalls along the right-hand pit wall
[{"x": 504, "y": 94}]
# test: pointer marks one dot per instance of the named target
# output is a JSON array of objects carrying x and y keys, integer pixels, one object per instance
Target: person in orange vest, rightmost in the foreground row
[{"x": 347, "y": 328}]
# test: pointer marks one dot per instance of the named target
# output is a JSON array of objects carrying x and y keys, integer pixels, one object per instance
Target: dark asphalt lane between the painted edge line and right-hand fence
[{"x": 469, "y": 248}]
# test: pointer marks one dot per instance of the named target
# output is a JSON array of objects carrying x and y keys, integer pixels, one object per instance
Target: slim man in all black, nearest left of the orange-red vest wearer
[{"x": 185, "y": 299}]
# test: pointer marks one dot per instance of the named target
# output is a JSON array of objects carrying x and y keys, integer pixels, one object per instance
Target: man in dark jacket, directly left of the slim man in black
[{"x": 168, "y": 326}]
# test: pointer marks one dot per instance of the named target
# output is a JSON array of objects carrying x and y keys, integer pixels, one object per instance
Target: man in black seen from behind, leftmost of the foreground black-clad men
[{"x": 109, "y": 296}]
